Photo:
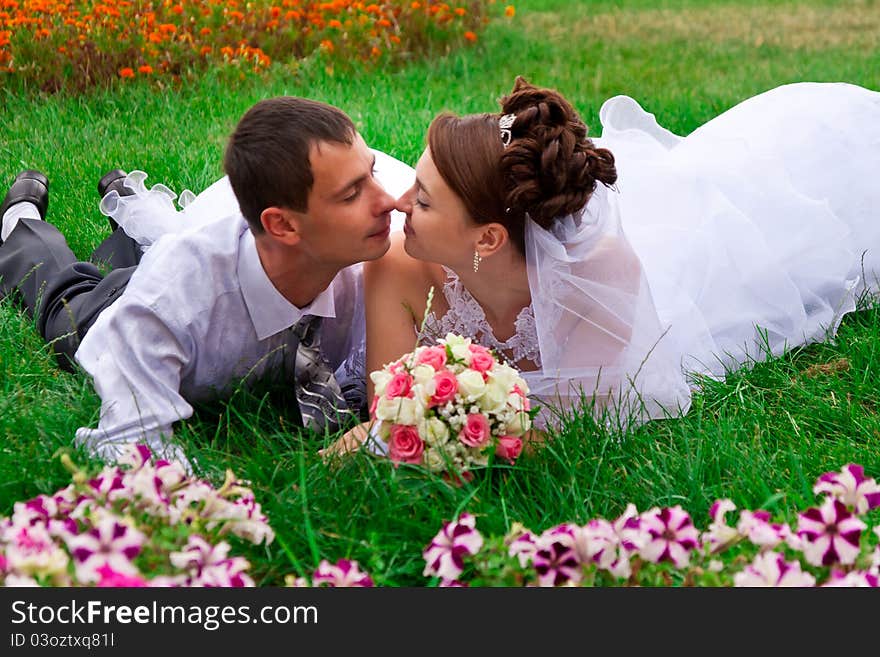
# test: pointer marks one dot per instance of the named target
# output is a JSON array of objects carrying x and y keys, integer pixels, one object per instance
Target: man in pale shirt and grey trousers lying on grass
[{"x": 272, "y": 289}]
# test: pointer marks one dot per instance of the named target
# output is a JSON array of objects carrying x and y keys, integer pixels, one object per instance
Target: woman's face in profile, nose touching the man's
[{"x": 438, "y": 227}]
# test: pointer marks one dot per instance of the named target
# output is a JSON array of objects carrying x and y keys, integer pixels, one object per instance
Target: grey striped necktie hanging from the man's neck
[{"x": 321, "y": 403}]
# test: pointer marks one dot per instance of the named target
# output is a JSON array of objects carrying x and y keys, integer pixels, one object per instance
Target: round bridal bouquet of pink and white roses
[{"x": 449, "y": 407}]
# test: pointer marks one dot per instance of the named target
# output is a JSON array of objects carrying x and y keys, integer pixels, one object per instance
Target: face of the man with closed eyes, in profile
[{"x": 348, "y": 217}]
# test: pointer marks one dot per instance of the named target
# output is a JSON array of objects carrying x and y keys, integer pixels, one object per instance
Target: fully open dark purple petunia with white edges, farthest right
[{"x": 830, "y": 534}]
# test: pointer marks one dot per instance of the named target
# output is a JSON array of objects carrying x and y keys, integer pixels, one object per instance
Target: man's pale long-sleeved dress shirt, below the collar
[{"x": 198, "y": 317}]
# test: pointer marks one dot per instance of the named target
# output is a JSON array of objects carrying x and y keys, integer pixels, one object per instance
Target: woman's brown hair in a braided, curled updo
[{"x": 548, "y": 169}]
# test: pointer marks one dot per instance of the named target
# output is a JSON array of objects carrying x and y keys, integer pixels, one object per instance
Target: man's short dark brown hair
[{"x": 267, "y": 157}]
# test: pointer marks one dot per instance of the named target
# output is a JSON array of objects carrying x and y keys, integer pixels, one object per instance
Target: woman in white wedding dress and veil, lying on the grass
[{"x": 615, "y": 272}]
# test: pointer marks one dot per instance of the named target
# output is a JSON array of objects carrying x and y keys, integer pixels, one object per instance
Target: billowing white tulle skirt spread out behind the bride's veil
[{"x": 758, "y": 231}]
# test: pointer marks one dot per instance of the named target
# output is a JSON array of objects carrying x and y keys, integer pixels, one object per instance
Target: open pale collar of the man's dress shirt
[{"x": 269, "y": 311}]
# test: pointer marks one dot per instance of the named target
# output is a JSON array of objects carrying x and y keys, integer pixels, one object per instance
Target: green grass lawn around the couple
[{"x": 761, "y": 437}]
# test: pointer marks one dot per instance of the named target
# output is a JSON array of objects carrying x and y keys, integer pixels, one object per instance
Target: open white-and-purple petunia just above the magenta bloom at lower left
[{"x": 109, "y": 542}]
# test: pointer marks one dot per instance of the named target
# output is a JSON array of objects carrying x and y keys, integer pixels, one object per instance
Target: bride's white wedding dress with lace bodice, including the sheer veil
[{"x": 753, "y": 234}]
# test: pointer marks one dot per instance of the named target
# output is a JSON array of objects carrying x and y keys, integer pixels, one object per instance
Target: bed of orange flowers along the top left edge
[{"x": 80, "y": 43}]
